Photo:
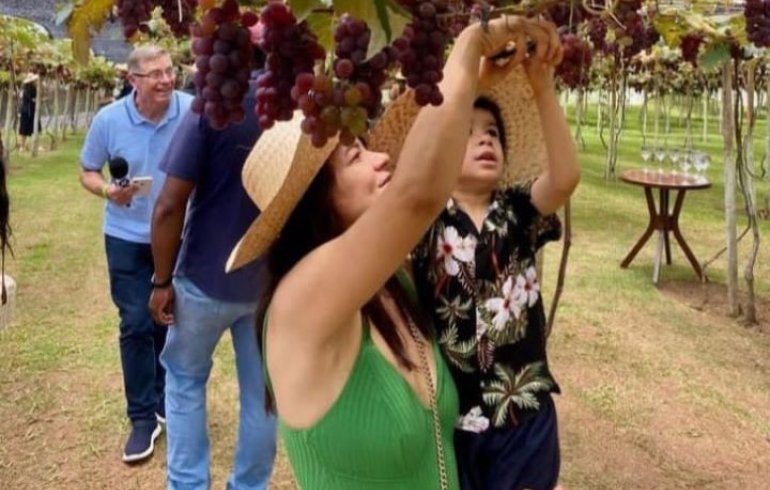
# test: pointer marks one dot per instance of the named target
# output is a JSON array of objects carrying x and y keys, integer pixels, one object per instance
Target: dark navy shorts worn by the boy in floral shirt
[{"x": 525, "y": 457}]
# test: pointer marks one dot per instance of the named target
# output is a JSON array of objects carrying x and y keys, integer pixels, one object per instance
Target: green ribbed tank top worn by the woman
[{"x": 377, "y": 435}]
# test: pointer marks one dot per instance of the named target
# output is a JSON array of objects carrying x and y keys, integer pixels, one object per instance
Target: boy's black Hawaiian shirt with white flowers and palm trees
[{"x": 484, "y": 296}]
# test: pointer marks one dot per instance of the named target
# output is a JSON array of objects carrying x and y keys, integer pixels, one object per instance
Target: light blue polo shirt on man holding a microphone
[{"x": 119, "y": 130}]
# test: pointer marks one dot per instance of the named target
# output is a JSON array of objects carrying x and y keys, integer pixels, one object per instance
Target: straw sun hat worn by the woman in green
[{"x": 278, "y": 171}]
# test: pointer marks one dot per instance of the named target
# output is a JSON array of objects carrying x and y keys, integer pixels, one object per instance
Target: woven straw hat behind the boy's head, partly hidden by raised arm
[{"x": 526, "y": 156}]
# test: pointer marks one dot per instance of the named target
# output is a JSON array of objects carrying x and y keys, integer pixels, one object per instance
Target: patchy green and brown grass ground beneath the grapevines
[{"x": 661, "y": 390}]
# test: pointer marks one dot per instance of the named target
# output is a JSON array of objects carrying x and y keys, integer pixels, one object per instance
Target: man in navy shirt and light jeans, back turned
[{"x": 203, "y": 301}]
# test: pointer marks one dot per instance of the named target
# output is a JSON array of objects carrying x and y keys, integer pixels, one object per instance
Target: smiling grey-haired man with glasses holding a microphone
[{"x": 137, "y": 128}]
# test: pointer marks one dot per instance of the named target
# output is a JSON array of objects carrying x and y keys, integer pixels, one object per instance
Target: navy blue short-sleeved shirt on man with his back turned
[{"x": 219, "y": 211}]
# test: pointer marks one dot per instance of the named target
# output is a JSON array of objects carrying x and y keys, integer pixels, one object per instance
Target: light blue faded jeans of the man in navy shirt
[{"x": 200, "y": 322}]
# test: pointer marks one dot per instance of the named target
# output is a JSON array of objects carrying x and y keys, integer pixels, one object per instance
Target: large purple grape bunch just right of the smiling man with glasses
[{"x": 223, "y": 50}]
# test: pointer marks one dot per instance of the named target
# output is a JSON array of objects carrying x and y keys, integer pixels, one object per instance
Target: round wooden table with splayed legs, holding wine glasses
[{"x": 661, "y": 220}]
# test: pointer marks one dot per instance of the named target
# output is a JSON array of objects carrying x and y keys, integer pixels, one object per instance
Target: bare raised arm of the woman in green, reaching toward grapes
[{"x": 336, "y": 280}]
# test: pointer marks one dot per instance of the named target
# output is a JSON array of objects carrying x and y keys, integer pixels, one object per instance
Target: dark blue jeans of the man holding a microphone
[{"x": 141, "y": 339}]
